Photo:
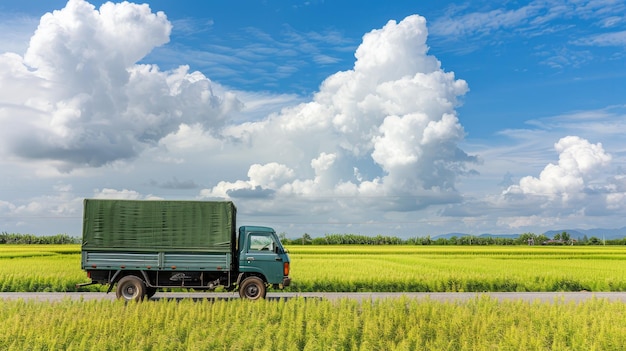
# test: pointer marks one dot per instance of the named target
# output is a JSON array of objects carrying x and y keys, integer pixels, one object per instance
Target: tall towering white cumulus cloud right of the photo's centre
[{"x": 392, "y": 117}]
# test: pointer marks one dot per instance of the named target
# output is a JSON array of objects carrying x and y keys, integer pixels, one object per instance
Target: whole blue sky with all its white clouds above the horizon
[{"x": 321, "y": 117}]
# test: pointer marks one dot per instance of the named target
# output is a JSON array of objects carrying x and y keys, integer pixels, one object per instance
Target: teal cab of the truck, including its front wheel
[{"x": 262, "y": 260}]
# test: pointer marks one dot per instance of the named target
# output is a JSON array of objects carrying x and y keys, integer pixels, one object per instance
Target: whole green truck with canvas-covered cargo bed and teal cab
[{"x": 141, "y": 246}]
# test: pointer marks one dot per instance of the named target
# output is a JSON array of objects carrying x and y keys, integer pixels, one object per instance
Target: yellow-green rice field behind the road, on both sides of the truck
[{"x": 374, "y": 268}]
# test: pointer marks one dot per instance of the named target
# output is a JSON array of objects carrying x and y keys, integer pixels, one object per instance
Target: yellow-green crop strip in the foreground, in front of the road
[{"x": 312, "y": 324}]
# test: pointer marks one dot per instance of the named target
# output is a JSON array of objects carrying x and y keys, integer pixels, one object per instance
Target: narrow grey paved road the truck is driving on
[{"x": 444, "y": 297}]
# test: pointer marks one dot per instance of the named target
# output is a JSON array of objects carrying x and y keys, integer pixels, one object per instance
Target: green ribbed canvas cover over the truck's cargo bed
[{"x": 135, "y": 225}]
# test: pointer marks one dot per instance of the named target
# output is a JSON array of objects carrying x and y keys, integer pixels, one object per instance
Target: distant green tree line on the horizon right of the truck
[{"x": 523, "y": 239}]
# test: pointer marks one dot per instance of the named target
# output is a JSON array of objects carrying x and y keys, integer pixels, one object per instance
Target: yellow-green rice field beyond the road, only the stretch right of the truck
[{"x": 459, "y": 268}]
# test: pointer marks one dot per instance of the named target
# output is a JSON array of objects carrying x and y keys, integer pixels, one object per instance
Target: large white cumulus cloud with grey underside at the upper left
[{"x": 78, "y": 98}]
